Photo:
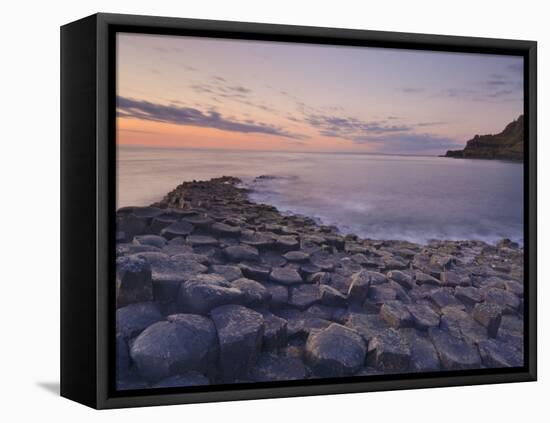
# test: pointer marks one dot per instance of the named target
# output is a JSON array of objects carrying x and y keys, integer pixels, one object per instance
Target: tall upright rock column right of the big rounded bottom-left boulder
[{"x": 240, "y": 332}]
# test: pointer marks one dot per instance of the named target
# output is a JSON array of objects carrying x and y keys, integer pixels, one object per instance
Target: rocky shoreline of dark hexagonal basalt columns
[{"x": 213, "y": 288}]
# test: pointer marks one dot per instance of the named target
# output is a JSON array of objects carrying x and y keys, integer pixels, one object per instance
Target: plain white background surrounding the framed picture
[{"x": 29, "y": 167}]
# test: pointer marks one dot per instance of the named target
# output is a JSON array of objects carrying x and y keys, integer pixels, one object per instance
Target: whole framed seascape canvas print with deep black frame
[{"x": 255, "y": 211}]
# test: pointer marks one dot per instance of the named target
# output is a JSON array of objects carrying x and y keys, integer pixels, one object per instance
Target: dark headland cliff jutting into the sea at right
[{"x": 507, "y": 145}]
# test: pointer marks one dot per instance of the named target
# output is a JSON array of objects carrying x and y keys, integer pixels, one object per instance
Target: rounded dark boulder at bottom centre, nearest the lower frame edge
[{"x": 335, "y": 351}]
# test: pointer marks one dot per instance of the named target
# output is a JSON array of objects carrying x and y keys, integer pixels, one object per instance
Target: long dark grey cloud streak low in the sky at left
[{"x": 145, "y": 110}]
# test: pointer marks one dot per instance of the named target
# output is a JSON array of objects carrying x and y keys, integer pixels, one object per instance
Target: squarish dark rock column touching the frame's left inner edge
[{"x": 133, "y": 281}]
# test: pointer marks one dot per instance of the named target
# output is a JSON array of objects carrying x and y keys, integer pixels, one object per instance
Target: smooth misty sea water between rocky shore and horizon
[{"x": 379, "y": 197}]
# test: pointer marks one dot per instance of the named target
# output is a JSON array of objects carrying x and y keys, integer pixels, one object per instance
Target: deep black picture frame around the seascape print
[{"x": 88, "y": 207}]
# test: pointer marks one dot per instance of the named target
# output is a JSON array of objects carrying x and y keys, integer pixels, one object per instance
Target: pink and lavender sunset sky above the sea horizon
[{"x": 206, "y": 93}]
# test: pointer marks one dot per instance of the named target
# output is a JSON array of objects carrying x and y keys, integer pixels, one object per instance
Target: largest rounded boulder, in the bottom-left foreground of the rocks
[{"x": 183, "y": 343}]
